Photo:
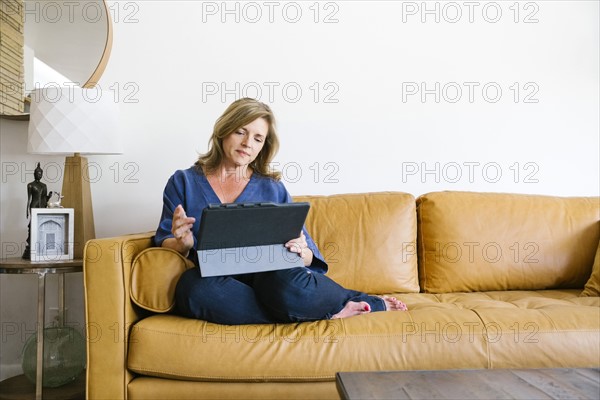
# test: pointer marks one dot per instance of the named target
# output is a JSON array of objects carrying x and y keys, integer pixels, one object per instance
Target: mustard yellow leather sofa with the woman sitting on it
[{"x": 491, "y": 281}]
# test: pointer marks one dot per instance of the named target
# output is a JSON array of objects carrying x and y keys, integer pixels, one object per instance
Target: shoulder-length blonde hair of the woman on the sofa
[{"x": 240, "y": 113}]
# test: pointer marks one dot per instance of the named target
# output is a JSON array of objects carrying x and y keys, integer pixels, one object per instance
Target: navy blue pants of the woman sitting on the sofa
[{"x": 288, "y": 295}]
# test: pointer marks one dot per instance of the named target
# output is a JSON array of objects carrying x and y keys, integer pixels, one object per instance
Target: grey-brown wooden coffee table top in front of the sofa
[{"x": 471, "y": 384}]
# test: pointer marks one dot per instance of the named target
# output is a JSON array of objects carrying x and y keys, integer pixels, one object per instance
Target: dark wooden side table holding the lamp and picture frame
[{"x": 41, "y": 268}]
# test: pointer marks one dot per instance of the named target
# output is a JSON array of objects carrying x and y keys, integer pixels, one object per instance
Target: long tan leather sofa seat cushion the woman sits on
[{"x": 532, "y": 329}]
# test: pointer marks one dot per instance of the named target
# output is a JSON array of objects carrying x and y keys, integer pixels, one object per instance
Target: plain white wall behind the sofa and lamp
[{"x": 366, "y": 131}]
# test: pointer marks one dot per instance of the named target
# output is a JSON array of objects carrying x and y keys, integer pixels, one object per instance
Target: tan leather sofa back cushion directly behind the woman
[{"x": 368, "y": 240}]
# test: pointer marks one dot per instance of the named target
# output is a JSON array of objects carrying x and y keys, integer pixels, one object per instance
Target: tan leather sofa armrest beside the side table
[{"x": 109, "y": 312}]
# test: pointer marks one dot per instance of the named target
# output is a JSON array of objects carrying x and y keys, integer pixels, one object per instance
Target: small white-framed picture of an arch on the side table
[{"x": 51, "y": 234}]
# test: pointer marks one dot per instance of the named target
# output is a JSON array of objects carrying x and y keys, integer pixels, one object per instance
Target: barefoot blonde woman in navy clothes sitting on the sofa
[{"x": 236, "y": 169}]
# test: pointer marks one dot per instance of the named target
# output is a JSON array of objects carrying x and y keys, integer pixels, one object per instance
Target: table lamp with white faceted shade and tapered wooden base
[{"x": 74, "y": 121}]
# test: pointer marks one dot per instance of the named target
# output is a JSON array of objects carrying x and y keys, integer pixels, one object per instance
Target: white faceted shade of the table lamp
[{"x": 67, "y": 120}]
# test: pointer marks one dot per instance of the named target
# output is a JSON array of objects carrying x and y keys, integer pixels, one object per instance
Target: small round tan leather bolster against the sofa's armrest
[{"x": 154, "y": 275}]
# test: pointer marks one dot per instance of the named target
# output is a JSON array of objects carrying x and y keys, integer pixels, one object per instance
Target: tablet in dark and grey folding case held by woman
[{"x": 239, "y": 238}]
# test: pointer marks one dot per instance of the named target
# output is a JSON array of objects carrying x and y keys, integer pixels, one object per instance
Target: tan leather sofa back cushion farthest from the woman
[{"x": 494, "y": 241}]
